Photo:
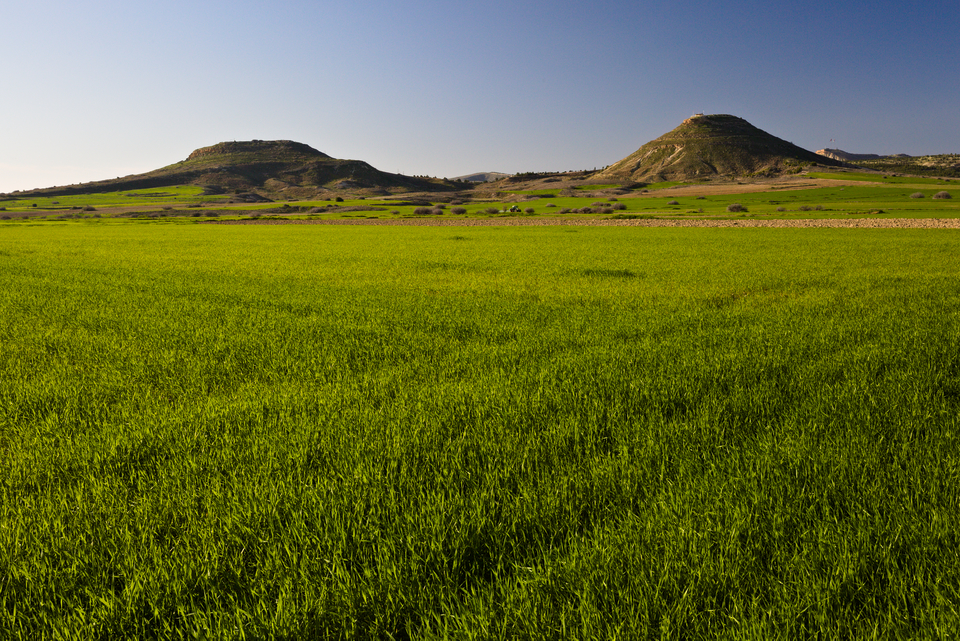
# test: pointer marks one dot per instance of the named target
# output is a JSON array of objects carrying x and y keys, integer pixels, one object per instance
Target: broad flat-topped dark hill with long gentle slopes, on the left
[{"x": 270, "y": 168}]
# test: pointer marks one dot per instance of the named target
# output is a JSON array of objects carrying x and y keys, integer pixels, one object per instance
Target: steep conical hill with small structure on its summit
[{"x": 712, "y": 145}]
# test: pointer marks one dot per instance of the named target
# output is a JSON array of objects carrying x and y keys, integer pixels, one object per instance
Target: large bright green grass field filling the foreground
[{"x": 421, "y": 432}]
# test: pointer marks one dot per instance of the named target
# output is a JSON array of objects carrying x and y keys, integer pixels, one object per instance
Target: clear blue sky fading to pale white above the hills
[{"x": 97, "y": 89}]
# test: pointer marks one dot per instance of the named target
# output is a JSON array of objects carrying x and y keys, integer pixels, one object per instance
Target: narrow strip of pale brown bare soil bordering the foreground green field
[{"x": 863, "y": 223}]
